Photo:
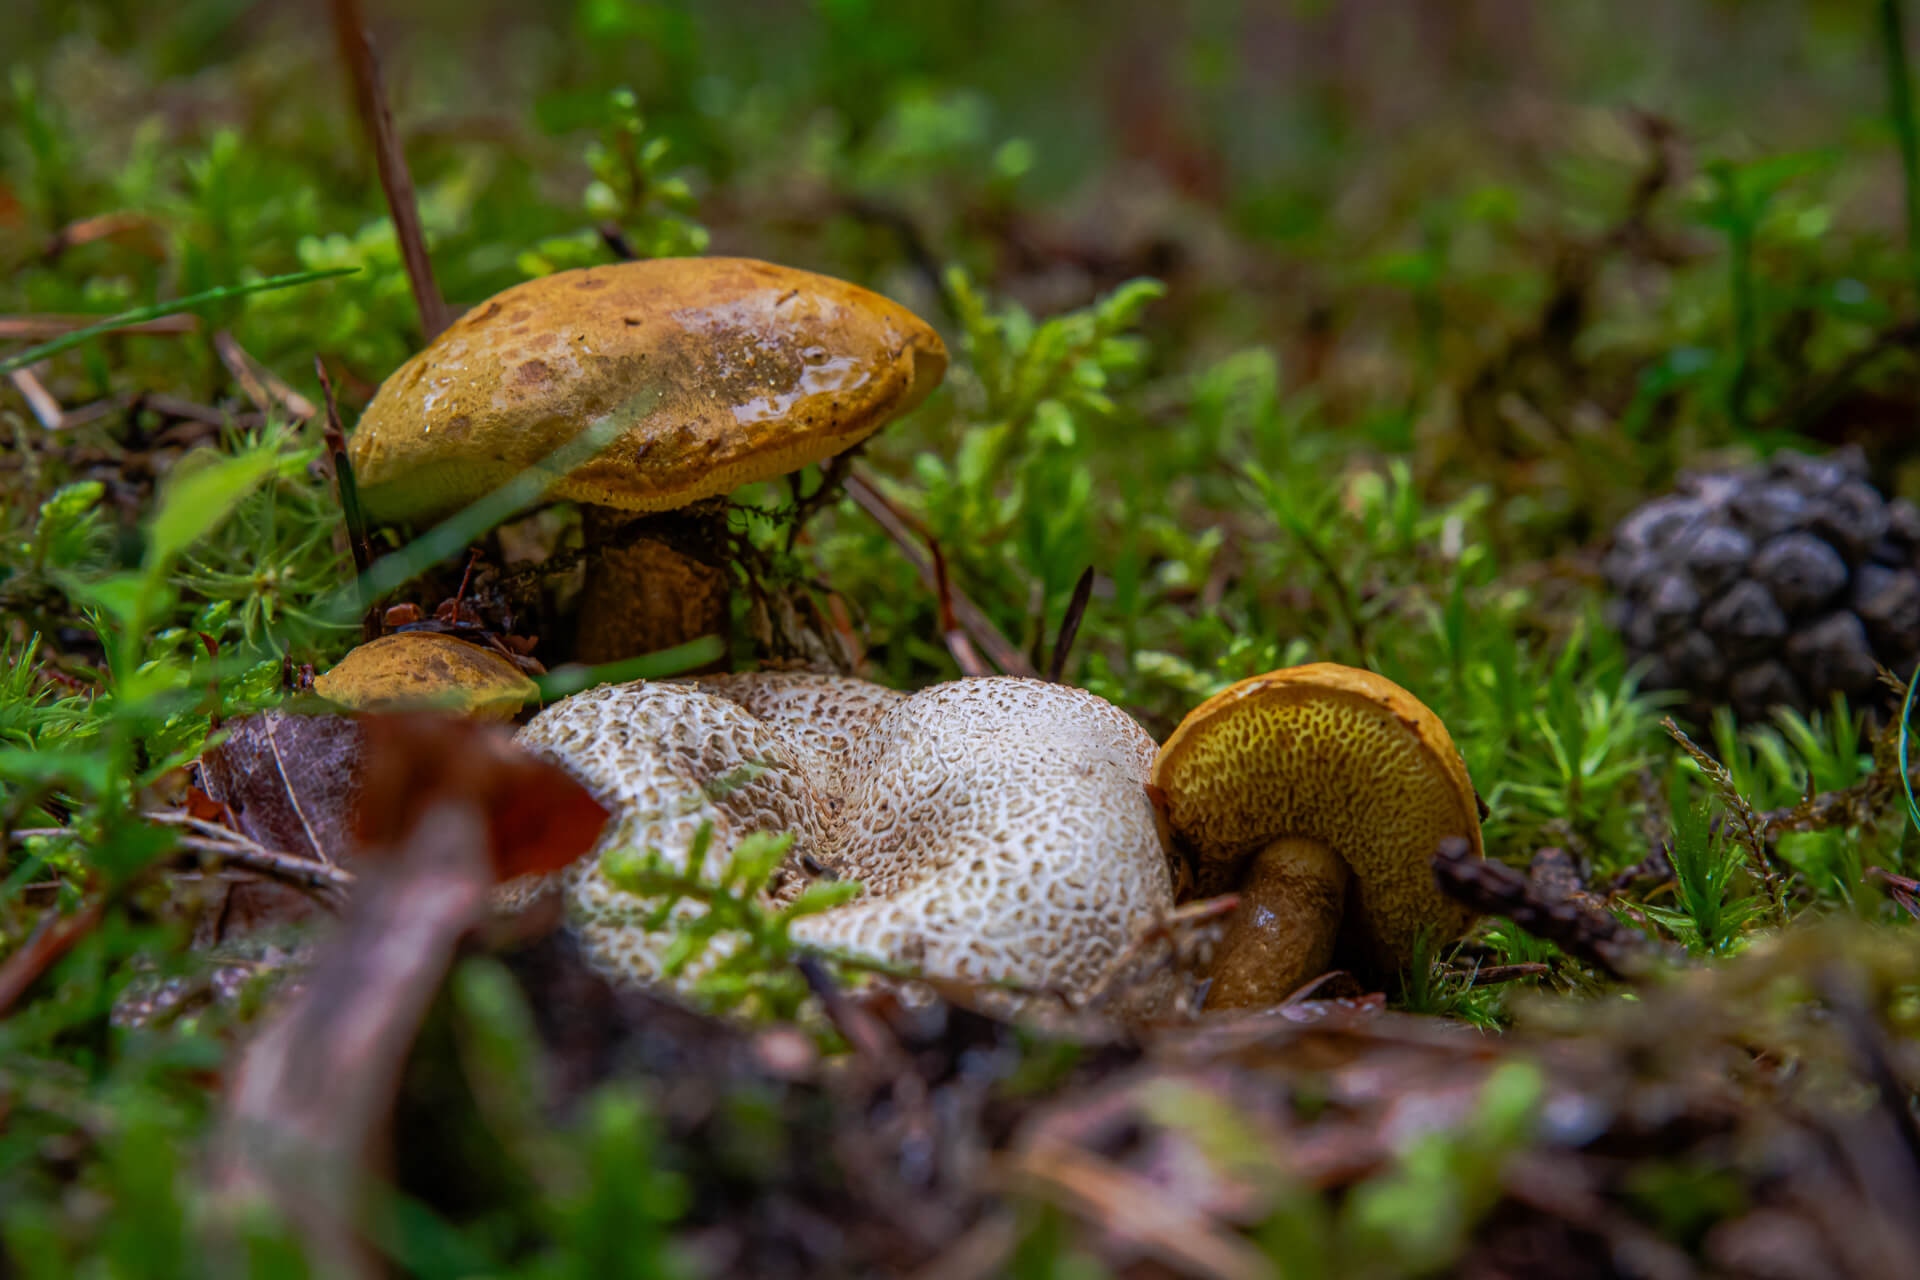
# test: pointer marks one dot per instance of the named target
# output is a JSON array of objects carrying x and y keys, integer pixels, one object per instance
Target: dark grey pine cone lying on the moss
[{"x": 1773, "y": 586}]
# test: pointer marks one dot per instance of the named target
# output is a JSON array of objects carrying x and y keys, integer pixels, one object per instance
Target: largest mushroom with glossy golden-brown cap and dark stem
[{"x": 675, "y": 381}]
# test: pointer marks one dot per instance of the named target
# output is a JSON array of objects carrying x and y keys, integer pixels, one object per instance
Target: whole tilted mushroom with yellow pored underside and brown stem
[{"x": 1320, "y": 794}]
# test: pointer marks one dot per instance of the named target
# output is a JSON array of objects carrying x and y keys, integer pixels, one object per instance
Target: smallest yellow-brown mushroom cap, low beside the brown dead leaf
[{"x": 427, "y": 669}]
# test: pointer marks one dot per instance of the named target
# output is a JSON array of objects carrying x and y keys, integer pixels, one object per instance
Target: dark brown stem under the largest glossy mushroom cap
[{"x": 644, "y": 596}]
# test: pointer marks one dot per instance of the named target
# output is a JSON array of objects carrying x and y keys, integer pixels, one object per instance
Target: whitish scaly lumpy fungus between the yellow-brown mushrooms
[{"x": 1001, "y": 828}]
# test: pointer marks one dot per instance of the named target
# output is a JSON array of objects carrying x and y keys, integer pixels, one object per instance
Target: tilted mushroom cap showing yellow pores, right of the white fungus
[{"x": 1341, "y": 757}]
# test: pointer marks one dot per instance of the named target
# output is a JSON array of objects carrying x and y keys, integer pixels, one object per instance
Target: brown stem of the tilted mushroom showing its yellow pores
[{"x": 1285, "y": 930}]
